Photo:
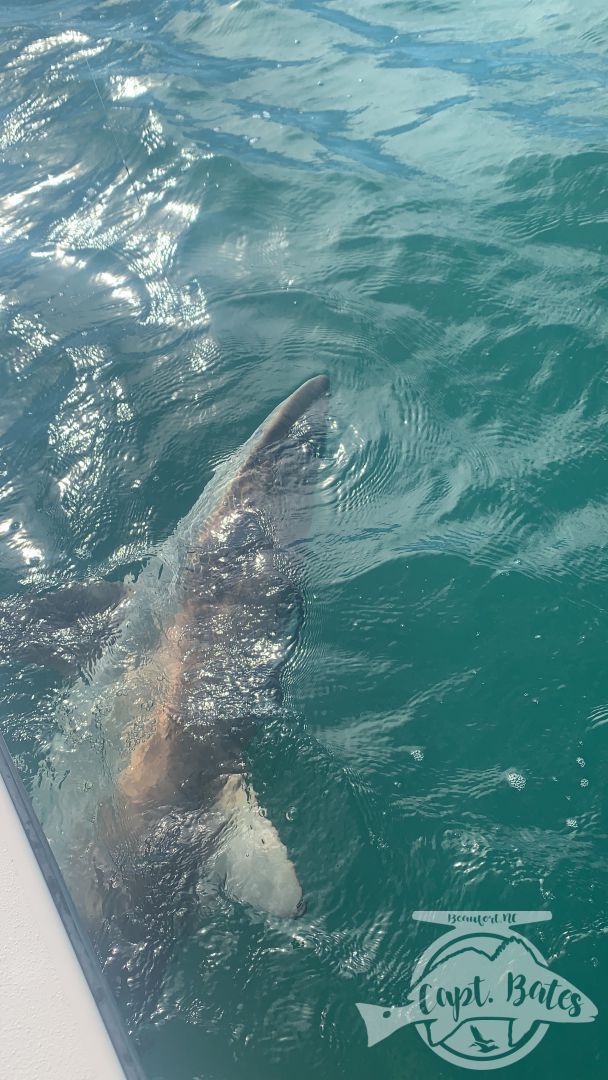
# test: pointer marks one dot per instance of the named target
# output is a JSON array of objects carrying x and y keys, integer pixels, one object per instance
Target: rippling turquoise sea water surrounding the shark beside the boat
[{"x": 412, "y": 198}]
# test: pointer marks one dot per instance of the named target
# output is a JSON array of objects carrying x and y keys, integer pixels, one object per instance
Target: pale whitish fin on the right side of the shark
[{"x": 252, "y": 858}]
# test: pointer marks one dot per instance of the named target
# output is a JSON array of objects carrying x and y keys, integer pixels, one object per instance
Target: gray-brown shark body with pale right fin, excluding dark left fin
[{"x": 146, "y": 782}]
